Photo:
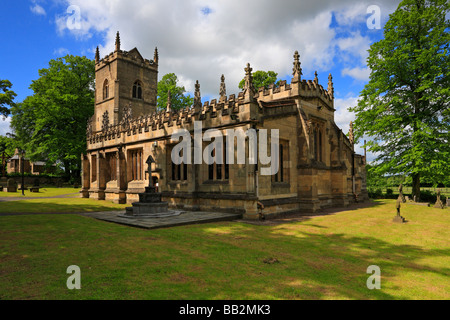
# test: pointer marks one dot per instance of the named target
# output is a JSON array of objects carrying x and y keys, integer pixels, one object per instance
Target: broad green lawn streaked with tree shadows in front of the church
[{"x": 325, "y": 257}]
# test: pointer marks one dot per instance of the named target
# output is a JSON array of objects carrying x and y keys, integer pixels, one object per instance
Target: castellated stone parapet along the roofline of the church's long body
[{"x": 212, "y": 113}]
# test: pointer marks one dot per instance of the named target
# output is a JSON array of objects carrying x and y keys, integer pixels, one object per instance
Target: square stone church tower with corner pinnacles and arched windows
[{"x": 124, "y": 80}]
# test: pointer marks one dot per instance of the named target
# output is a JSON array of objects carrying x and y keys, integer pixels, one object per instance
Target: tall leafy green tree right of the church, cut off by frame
[{"x": 405, "y": 105}]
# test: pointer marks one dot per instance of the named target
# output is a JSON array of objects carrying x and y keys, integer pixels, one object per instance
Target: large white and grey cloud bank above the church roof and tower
[{"x": 199, "y": 46}]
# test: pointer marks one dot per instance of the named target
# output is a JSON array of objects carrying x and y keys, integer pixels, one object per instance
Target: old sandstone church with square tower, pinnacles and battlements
[{"x": 318, "y": 167}]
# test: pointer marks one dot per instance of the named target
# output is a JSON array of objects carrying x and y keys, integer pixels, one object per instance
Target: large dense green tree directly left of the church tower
[{"x": 51, "y": 123}]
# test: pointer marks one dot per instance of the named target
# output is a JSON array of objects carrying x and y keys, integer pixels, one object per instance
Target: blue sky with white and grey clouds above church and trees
[{"x": 198, "y": 39}]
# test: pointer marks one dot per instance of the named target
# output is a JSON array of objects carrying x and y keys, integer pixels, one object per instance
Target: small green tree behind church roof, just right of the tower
[{"x": 169, "y": 83}]
